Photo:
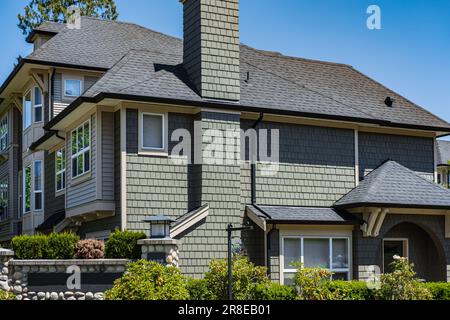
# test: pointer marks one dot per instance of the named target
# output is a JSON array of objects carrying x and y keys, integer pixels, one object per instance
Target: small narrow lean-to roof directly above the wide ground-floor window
[{"x": 303, "y": 215}]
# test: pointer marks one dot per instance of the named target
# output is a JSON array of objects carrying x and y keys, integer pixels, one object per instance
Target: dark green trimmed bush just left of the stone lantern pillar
[{"x": 123, "y": 245}]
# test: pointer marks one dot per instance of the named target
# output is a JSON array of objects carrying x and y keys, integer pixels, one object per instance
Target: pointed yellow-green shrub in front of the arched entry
[{"x": 402, "y": 283}]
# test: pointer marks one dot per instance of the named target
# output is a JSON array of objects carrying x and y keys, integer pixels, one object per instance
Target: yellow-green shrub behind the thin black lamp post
[{"x": 245, "y": 275}]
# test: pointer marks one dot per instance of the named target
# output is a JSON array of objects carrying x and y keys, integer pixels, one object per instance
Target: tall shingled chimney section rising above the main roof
[{"x": 211, "y": 47}]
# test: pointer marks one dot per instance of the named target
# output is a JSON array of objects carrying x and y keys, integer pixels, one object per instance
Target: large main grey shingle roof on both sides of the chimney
[{"x": 147, "y": 63}]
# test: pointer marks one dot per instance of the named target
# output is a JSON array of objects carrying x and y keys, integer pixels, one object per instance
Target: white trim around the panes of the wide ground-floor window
[{"x": 292, "y": 270}]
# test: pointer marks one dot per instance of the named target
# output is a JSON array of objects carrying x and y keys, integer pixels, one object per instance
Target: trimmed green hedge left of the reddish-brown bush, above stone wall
[{"x": 53, "y": 246}]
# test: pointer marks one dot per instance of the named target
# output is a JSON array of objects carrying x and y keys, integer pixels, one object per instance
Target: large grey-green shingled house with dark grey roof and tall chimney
[{"x": 346, "y": 180}]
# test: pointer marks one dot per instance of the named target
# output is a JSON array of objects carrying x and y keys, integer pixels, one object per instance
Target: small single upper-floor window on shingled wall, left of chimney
[{"x": 152, "y": 131}]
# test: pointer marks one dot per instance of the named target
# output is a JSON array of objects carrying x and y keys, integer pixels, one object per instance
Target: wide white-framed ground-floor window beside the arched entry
[{"x": 332, "y": 253}]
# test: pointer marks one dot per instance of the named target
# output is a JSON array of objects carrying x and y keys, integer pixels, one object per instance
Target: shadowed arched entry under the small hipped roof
[{"x": 427, "y": 254}]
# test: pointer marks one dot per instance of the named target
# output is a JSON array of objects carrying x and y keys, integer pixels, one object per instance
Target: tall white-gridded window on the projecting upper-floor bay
[{"x": 81, "y": 150}]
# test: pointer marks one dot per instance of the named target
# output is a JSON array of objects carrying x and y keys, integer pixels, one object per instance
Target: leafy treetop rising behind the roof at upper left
[{"x": 38, "y": 11}]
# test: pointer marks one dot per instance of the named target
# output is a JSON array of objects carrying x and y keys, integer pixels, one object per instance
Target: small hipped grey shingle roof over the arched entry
[{"x": 393, "y": 185}]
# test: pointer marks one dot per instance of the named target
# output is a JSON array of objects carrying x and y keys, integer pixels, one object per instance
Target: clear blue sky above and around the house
[{"x": 411, "y": 54}]
